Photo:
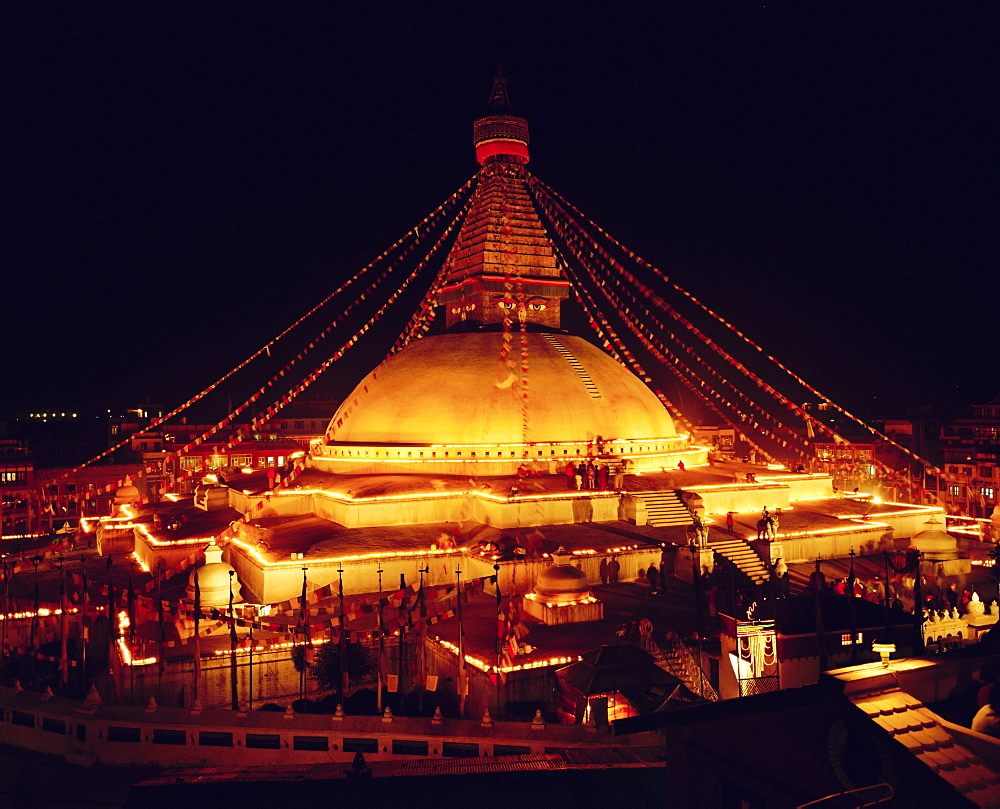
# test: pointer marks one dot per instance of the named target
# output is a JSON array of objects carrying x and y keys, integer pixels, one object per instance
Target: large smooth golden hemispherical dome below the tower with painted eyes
[{"x": 453, "y": 389}]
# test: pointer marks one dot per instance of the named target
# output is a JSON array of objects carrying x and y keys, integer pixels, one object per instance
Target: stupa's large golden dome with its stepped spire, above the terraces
[{"x": 507, "y": 386}]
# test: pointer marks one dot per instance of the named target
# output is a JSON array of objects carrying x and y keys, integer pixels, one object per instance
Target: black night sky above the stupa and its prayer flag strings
[{"x": 182, "y": 180}]
